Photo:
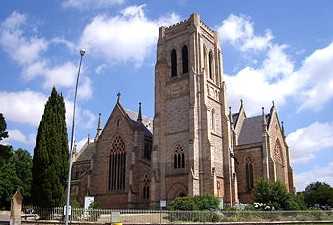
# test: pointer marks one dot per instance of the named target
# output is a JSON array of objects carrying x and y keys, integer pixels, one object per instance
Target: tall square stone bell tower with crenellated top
[{"x": 192, "y": 146}]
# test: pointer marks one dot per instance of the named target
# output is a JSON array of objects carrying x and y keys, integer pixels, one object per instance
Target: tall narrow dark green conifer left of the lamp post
[{"x": 50, "y": 160}]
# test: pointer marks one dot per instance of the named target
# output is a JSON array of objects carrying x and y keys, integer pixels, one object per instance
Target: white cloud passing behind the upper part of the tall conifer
[{"x": 27, "y": 107}]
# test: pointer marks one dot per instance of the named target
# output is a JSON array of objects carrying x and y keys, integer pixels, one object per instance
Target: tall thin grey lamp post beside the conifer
[{"x": 82, "y": 51}]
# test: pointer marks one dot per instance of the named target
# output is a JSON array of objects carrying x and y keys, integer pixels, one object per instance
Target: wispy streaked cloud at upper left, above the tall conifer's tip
[{"x": 28, "y": 51}]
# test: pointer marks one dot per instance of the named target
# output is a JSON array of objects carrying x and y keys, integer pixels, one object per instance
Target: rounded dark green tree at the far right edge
[{"x": 318, "y": 193}]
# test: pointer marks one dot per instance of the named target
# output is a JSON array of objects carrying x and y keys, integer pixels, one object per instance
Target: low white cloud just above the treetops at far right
[{"x": 322, "y": 174}]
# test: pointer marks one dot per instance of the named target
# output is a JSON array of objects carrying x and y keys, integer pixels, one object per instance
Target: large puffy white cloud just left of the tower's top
[{"x": 128, "y": 37}]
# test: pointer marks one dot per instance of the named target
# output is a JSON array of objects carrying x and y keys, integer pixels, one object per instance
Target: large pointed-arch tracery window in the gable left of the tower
[{"x": 117, "y": 165}]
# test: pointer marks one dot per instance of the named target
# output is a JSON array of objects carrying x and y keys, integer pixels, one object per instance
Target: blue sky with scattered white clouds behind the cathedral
[{"x": 281, "y": 50}]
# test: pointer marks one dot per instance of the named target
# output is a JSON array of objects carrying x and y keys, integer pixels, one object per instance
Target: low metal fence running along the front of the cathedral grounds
[{"x": 169, "y": 217}]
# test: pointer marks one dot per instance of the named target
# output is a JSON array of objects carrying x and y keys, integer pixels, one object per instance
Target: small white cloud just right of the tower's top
[{"x": 239, "y": 31}]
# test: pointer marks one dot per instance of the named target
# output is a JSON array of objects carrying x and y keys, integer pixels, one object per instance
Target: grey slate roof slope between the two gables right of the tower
[{"x": 251, "y": 131}]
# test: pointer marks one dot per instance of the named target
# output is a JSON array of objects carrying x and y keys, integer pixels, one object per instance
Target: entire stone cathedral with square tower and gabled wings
[{"x": 195, "y": 144}]
